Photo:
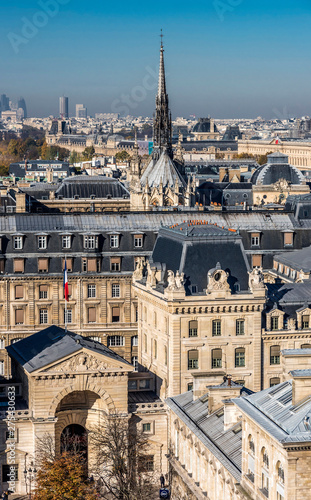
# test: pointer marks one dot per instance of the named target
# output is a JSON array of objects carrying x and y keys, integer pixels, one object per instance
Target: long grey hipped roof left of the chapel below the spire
[{"x": 85, "y": 186}]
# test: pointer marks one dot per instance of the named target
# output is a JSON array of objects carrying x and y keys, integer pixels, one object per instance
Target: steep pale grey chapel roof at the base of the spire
[{"x": 164, "y": 170}]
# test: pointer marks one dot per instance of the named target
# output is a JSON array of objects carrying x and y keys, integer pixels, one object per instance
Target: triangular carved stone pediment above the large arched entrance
[{"x": 85, "y": 362}]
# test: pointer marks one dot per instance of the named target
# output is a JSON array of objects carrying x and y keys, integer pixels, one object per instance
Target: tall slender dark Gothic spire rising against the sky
[{"x": 163, "y": 120}]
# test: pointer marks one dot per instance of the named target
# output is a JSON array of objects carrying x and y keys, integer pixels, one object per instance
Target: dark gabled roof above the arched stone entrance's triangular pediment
[{"x": 52, "y": 344}]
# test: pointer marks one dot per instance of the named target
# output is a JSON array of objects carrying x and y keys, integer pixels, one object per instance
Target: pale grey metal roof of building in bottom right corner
[{"x": 273, "y": 411}]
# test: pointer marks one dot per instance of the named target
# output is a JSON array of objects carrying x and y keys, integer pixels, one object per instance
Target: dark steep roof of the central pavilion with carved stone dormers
[{"x": 194, "y": 249}]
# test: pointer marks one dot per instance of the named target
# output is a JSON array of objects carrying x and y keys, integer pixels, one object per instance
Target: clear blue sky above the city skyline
[{"x": 224, "y": 58}]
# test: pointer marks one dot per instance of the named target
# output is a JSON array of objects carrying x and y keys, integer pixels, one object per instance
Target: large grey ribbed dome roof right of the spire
[{"x": 276, "y": 169}]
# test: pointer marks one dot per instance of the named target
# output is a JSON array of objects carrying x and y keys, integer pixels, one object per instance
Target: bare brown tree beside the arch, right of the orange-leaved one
[{"x": 121, "y": 459}]
